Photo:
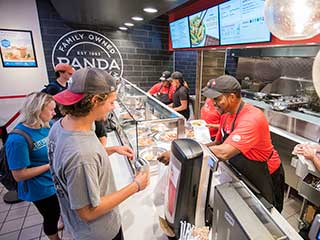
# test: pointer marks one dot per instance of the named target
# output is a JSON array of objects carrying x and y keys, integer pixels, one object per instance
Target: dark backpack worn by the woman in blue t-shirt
[{"x": 6, "y": 177}]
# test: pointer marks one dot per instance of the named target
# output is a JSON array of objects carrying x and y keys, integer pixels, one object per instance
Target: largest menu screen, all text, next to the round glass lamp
[{"x": 242, "y": 21}]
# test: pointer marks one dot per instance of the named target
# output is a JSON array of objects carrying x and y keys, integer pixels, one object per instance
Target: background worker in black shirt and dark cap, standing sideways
[{"x": 181, "y": 95}]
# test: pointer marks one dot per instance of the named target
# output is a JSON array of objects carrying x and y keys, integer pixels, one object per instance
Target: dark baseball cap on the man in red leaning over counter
[{"x": 218, "y": 86}]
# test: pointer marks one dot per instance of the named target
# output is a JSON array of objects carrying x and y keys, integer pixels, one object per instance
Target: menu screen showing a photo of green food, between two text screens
[{"x": 204, "y": 28}]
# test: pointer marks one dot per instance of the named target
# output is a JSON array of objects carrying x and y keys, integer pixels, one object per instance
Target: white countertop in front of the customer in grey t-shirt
[{"x": 138, "y": 215}]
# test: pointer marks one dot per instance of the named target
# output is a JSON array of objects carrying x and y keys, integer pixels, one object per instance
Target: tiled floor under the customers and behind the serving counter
[{"x": 21, "y": 221}]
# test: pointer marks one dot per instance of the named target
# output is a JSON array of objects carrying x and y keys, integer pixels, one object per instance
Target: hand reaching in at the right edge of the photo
[{"x": 310, "y": 152}]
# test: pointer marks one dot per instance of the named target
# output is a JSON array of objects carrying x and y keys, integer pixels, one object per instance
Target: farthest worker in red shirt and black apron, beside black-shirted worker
[{"x": 163, "y": 90}]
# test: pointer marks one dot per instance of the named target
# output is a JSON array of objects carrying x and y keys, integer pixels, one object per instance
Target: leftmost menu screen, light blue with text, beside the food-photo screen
[{"x": 179, "y": 32}]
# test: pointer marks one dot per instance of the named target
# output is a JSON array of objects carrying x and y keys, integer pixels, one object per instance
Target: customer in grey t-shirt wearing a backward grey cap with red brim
[{"x": 80, "y": 165}]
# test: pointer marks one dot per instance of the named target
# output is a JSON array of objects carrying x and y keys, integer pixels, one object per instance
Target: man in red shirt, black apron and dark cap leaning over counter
[{"x": 244, "y": 139}]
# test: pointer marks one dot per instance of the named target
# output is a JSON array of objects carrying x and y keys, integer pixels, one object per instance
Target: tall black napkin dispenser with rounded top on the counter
[{"x": 183, "y": 182}]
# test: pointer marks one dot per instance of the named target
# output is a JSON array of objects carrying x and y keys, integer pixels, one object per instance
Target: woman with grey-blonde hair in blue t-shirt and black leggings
[{"x": 31, "y": 170}]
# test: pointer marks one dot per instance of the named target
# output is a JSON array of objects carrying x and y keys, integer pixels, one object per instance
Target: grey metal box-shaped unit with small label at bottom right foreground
[{"x": 238, "y": 214}]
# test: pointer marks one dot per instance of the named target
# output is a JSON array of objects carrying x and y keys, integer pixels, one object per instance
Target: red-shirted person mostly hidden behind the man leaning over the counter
[{"x": 211, "y": 115}]
